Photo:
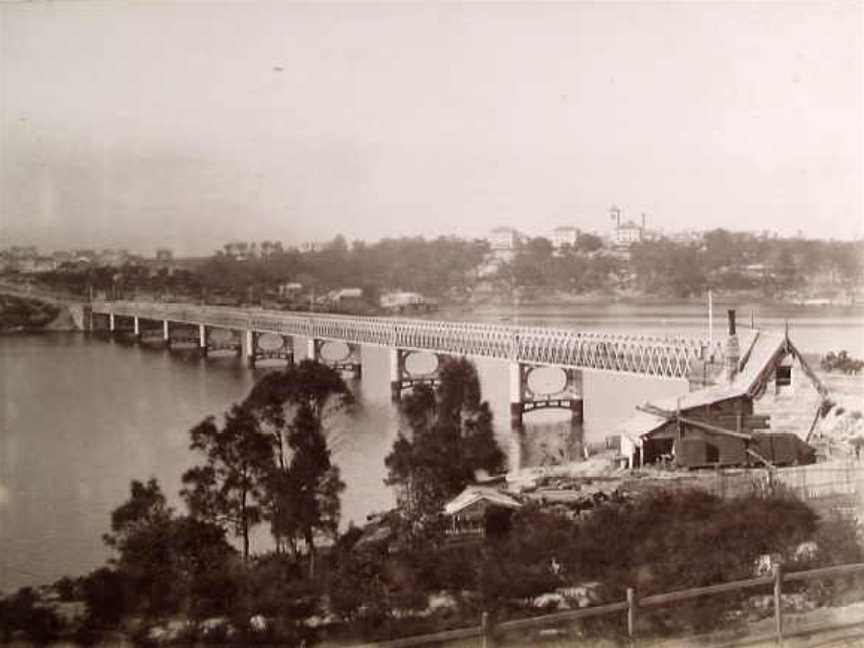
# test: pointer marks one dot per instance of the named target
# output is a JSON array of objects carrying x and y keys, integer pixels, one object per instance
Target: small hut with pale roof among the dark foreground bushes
[{"x": 478, "y": 510}]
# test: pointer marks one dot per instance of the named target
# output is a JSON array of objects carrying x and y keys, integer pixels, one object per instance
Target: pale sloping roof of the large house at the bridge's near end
[{"x": 758, "y": 361}]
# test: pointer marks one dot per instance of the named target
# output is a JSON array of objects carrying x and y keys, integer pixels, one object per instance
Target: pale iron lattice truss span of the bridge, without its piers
[{"x": 667, "y": 357}]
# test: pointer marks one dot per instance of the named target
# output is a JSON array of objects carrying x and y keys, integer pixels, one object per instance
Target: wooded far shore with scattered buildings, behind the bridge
[{"x": 454, "y": 269}]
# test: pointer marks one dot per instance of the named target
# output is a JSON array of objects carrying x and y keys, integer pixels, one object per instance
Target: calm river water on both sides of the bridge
[{"x": 80, "y": 417}]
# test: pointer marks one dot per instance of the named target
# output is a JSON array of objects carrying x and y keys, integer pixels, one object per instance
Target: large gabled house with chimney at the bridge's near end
[{"x": 725, "y": 424}]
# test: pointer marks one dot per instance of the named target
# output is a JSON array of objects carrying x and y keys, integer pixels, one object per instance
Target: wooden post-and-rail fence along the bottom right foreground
[{"x": 484, "y": 633}]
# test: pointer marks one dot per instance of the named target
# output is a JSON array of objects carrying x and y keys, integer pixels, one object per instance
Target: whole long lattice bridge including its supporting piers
[{"x": 259, "y": 334}]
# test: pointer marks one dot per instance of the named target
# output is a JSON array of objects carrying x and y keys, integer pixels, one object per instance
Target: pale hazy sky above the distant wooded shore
[{"x": 190, "y": 124}]
